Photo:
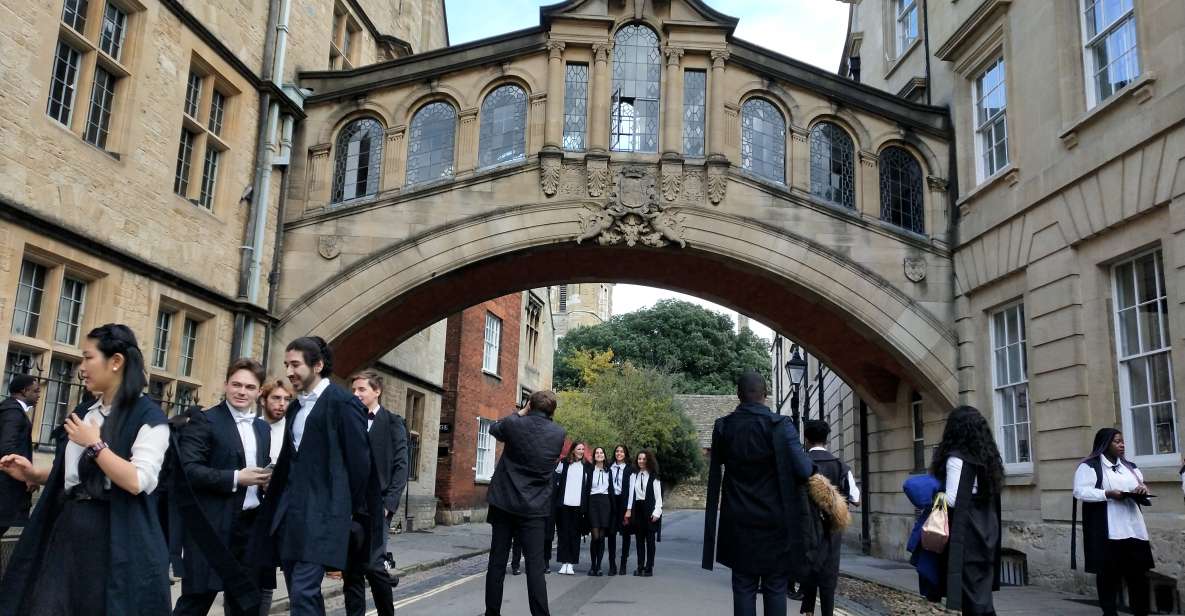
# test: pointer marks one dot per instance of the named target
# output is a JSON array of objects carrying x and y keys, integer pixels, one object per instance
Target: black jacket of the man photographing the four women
[{"x": 523, "y": 479}]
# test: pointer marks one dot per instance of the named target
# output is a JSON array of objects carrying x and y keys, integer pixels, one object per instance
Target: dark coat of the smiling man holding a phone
[{"x": 210, "y": 453}]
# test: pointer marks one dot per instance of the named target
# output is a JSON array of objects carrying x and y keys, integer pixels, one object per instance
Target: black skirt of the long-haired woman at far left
[{"x": 74, "y": 575}]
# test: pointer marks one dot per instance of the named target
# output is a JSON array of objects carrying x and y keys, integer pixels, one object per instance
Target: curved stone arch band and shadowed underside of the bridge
[{"x": 764, "y": 271}]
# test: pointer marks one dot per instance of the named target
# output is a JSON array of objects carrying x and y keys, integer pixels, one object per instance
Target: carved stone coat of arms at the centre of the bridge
[{"x": 633, "y": 215}]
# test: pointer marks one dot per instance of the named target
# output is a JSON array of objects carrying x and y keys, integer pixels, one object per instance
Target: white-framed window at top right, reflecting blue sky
[{"x": 1109, "y": 47}]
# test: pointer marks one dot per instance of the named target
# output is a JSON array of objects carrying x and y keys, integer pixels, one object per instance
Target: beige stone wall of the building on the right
[{"x": 1087, "y": 185}]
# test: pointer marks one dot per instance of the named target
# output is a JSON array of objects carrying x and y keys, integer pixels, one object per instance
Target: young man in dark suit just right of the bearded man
[{"x": 389, "y": 467}]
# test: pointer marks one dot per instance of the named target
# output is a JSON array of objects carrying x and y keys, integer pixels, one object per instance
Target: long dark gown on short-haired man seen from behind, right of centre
[{"x": 766, "y": 517}]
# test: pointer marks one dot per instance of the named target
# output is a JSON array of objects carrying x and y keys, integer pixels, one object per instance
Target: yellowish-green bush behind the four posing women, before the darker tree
[{"x": 636, "y": 407}]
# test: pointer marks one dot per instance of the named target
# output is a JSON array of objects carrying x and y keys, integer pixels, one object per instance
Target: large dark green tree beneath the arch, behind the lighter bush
[{"x": 699, "y": 348}]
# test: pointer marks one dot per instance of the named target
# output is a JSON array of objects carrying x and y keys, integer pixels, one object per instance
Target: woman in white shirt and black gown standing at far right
[{"x": 1114, "y": 537}]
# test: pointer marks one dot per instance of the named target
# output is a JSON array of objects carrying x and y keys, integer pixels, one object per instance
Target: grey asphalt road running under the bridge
[{"x": 680, "y": 586}]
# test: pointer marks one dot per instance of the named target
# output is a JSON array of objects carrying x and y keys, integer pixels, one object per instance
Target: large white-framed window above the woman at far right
[{"x": 1144, "y": 354}]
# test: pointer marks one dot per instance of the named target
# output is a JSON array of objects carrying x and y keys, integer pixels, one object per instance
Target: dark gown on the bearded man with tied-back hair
[{"x": 319, "y": 496}]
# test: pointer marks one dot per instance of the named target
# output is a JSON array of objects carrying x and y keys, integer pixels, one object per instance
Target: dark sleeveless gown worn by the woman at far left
[{"x": 138, "y": 581}]
